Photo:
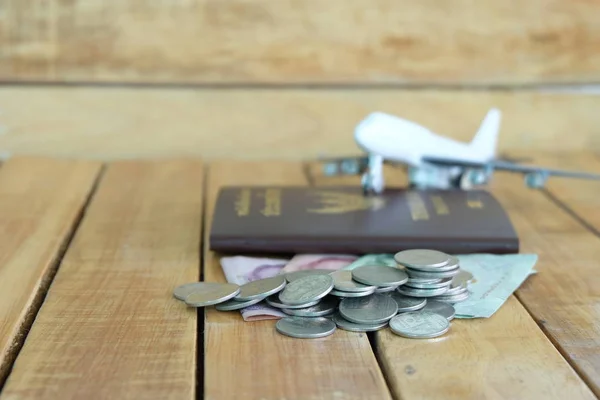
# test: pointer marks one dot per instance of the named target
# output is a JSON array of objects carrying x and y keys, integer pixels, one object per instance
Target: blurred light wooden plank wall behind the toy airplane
[{"x": 290, "y": 78}]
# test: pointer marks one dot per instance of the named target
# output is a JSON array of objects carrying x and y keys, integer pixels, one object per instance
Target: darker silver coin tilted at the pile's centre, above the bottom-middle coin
[{"x": 373, "y": 309}]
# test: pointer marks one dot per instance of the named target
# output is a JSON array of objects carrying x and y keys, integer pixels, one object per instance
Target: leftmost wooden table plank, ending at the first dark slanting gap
[{"x": 40, "y": 205}]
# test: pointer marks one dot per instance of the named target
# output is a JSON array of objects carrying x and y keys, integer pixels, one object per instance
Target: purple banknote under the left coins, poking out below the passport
[{"x": 241, "y": 270}]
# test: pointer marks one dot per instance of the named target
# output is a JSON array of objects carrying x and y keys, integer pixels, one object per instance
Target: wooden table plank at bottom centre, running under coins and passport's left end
[{"x": 266, "y": 364}]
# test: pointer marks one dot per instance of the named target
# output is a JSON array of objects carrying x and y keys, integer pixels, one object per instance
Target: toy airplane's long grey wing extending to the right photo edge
[{"x": 512, "y": 167}]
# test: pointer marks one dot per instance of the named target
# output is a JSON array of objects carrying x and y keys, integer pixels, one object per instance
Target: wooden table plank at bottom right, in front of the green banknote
[{"x": 505, "y": 356}]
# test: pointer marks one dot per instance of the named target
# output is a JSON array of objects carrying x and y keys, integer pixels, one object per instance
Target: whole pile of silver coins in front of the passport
[{"x": 414, "y": 299}]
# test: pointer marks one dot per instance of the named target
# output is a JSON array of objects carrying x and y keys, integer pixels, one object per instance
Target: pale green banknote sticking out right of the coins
[{"x": 495, "y": 278}]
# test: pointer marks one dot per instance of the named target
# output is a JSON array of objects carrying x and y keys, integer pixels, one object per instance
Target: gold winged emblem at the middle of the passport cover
[{"x": 332, "y": 202}]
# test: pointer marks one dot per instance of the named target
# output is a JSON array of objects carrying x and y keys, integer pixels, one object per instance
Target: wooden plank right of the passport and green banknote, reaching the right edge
[{"x": 564, "y": 296}]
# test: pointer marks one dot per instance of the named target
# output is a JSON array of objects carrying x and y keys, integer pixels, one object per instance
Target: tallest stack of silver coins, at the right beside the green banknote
[{"x": 431, "y": 275}]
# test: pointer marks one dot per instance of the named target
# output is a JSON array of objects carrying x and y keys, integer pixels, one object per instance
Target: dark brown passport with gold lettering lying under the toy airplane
[{"x": 342, "y": 220}]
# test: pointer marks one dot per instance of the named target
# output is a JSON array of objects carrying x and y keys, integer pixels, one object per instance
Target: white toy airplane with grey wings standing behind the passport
[{"x": 433, "y": 161}]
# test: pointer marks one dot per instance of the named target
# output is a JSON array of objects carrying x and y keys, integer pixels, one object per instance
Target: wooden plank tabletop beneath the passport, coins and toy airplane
[{"x": 90, "y": 254}]
